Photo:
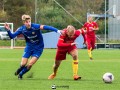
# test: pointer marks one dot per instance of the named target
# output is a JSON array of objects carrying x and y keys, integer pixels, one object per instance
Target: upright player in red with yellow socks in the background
[{"x": 91, "y": 27}]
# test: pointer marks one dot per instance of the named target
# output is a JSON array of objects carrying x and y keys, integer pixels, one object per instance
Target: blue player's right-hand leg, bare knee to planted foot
[{"x": 28, "y": 67}]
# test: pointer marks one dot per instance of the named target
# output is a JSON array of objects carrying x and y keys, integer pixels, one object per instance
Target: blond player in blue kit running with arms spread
[{"x": 34, "y": 42}]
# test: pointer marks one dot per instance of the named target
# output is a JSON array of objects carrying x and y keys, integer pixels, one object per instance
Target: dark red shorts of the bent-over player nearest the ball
[{"x": 61, "y": 52}]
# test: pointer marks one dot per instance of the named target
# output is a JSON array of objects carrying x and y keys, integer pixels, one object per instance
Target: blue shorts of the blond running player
[{"x": 33, "y": 52}]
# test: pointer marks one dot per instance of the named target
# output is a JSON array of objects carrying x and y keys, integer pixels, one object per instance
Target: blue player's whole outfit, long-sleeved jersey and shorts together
[{"x": 33, "y": 37}]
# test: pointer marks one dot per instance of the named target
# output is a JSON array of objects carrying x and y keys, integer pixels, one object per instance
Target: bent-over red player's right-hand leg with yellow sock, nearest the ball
[{"x": 74, "y": 54}]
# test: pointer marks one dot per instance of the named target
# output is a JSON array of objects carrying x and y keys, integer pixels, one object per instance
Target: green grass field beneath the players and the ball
[{"x": 36, "y": 79}]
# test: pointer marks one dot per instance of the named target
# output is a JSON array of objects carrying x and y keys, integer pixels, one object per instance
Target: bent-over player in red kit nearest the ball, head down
[{"x": 66, "y": 44}]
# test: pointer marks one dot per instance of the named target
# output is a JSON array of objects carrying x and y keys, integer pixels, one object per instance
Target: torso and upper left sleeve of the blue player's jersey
[{"x": 33, "y": 36}]
